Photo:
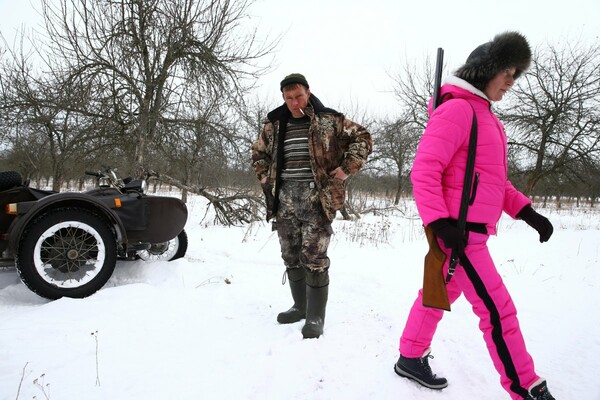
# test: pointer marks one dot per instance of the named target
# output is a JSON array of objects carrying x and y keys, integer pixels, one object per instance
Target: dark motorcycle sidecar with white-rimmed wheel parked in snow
[{"x": 67, "y": 244}]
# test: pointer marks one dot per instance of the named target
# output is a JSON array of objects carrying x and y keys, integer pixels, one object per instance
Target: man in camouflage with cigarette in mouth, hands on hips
[{"x": 304, "y": 153}]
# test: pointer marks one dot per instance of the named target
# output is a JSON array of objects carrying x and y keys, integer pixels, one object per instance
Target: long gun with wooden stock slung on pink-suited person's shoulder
[{"x": 435, "y": 294}]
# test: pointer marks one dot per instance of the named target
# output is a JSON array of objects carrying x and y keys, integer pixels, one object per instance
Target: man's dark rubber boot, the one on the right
[{"x": 317, "y": 291}]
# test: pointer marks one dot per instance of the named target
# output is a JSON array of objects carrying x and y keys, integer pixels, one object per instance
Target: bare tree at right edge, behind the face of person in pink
[{"x": 553, "y": 118}]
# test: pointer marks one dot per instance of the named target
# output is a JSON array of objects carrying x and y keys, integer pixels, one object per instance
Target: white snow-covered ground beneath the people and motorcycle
[{"x": 204, "y": 327}]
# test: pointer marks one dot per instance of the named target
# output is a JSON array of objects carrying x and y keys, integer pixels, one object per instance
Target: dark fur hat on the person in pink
[{"x": 508, "y": 49}]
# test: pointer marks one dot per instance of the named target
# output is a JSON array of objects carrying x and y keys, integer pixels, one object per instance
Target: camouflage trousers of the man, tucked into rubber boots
[{"x": 304, "y": 231}]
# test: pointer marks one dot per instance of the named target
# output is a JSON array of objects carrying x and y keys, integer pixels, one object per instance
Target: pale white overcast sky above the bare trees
[{"x": 348, "y": 48}]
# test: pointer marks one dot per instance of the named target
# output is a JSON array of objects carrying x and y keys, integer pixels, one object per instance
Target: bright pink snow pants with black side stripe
[{"x": 491, "y": 302}]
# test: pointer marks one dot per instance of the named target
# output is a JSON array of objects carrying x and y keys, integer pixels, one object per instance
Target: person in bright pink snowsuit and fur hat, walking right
[{"x": 438, "y": 175}]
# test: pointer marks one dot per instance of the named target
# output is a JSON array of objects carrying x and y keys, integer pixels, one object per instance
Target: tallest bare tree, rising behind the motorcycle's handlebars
[{"x": 144, "y": 55}]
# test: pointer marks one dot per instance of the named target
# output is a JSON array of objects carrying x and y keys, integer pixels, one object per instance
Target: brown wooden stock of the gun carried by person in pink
[{"x": 435, "y": 294}]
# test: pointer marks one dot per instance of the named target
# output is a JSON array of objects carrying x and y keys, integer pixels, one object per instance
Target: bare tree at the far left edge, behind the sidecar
[{"x": 44, "y": 121}]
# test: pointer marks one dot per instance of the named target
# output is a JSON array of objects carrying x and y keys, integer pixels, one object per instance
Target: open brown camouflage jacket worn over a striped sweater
[{"x": 333, "y": 141}]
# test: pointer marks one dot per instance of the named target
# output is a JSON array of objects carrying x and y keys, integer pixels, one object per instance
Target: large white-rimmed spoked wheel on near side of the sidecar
[{"x": 66, "y": 253}]
